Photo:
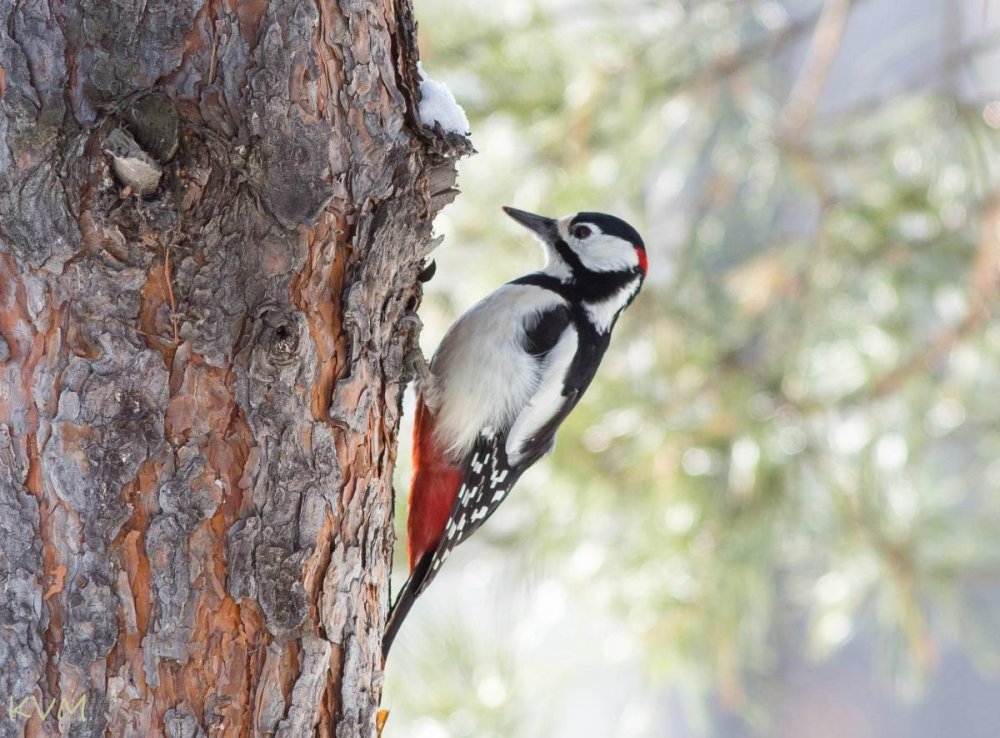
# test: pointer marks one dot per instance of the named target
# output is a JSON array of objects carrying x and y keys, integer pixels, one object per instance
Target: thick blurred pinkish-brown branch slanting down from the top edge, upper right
[{"x": 808, "y": 88}]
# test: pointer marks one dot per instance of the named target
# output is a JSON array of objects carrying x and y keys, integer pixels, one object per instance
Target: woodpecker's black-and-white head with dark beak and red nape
[{"x": 586, "y": 244}]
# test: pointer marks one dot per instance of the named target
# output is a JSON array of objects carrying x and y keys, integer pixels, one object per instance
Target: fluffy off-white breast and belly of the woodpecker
[{"x": 483, "y": 377}]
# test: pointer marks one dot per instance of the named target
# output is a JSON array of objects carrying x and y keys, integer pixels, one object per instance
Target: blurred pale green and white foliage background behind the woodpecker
[{"x": 777, "y": 510}]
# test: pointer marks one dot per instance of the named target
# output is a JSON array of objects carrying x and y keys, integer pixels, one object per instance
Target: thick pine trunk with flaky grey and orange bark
[{"x": 200, "y": 387}]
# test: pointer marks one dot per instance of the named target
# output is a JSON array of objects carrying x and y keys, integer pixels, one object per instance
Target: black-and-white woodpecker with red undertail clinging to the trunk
[{"x": 505, "y": 376}]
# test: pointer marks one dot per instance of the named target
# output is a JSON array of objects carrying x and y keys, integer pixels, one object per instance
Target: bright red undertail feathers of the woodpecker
[{"x": 433, "y": 488}]
